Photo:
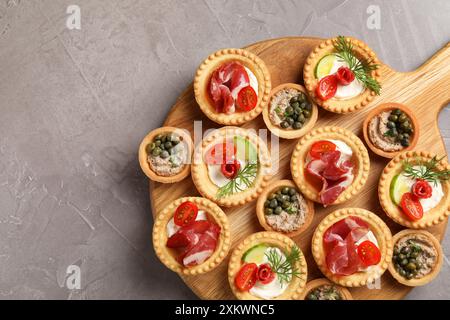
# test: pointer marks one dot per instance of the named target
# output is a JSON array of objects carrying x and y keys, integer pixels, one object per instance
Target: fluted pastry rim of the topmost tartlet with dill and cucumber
[{"x": 362, "y": 52}]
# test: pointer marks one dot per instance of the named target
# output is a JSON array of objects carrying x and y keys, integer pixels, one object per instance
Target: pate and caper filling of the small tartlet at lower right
[{"x": 414, "y": 256}]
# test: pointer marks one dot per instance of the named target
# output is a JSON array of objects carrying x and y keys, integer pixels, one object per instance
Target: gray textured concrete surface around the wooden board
[{"x": 75, "y": 105}]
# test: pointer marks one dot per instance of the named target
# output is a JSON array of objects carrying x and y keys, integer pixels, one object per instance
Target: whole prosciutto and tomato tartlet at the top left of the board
[{"x": 232, "y": 86}]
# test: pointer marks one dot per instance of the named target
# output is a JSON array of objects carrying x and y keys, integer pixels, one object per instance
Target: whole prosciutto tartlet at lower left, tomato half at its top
[{"x": 191, "y": 235}]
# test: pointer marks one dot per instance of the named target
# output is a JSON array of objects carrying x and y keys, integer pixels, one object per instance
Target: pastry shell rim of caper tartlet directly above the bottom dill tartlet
[{"x": 263, "y": 197}]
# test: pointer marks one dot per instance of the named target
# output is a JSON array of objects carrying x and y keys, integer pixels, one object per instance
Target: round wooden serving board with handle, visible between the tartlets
[{"x": 426, "y": 91}]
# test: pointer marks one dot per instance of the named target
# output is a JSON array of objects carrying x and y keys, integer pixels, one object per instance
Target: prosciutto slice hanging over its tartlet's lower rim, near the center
[{"x": 334, "y": 175}]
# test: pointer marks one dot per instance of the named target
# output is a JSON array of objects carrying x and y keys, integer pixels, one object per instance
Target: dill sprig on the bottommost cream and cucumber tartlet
[{"x": 284, "y": 268}]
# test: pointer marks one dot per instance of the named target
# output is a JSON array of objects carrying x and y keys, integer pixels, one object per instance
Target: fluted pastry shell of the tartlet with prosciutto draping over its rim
[{"x": 360, "y": 154}]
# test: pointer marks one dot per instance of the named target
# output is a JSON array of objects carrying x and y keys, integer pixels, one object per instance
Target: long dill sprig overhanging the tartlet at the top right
[{"x": 360, "y": 68}]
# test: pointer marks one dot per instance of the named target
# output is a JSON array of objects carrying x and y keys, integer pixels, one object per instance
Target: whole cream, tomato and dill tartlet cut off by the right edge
[{"x": 414, "y": 189}]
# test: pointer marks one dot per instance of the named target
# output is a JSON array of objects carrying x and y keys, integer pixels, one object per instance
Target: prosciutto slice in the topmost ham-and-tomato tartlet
[{"x": 225, "y": 84}]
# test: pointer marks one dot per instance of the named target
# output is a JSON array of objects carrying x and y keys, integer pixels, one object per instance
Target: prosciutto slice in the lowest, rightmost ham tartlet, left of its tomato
[{"x": 340, "y": 245}]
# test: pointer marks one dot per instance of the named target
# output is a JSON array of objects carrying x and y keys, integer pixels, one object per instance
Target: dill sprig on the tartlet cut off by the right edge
[{"x": 426, "y": 170}]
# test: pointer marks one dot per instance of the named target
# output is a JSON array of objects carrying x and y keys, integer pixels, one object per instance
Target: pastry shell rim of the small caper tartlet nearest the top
[{"x": 289, "y": 133}]
